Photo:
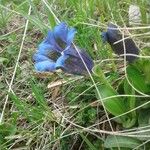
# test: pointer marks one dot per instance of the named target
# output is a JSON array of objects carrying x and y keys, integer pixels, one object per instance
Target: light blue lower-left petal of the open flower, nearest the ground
[{"x": 45, "y": 66}]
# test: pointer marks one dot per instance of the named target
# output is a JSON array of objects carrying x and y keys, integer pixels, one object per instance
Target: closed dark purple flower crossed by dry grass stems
[{"x": 113, "y": 35}]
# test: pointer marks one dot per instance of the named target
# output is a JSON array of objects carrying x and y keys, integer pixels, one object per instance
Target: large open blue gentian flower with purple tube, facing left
[{"x": 57, "y": 52}]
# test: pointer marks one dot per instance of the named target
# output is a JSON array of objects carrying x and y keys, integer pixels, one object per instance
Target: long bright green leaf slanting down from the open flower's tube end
[{"x": 114, "y": 105}]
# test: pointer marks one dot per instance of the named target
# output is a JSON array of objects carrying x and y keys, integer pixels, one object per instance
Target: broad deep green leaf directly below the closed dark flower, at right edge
[{"x": 137, "y": 79}]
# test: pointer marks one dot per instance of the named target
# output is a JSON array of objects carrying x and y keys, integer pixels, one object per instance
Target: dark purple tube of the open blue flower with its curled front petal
[{"x": 71, "y": 61}]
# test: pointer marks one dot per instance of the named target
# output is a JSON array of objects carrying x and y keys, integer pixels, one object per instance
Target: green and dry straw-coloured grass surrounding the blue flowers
[{"x": 73, "y": 115}]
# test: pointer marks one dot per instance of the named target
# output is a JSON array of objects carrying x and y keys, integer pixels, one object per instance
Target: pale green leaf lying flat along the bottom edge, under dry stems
[{"x": 126, "y": 142}]
